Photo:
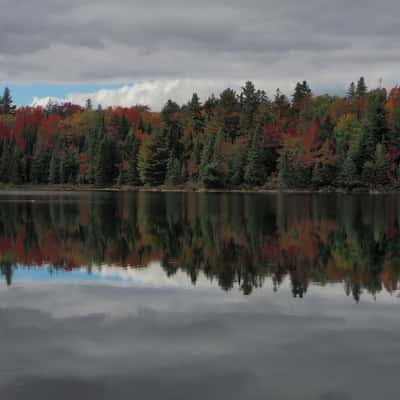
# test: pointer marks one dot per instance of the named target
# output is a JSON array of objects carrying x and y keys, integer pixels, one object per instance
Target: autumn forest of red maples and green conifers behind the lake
[{"x": 245, "y": 140}]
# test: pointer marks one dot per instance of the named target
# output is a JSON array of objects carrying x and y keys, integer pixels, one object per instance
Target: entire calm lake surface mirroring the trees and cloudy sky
[{"x": 199, "y": 296}]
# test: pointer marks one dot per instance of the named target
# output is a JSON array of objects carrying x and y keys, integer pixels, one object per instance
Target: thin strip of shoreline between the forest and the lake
[{"x": 188, "y": 189}]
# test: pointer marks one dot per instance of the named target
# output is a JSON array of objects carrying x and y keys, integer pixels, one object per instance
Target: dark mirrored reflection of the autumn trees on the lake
[{"x": 233, "y": 239}]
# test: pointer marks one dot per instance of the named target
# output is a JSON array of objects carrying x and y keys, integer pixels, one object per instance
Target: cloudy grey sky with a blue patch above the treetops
[{"x": 126, "y": 52}]
